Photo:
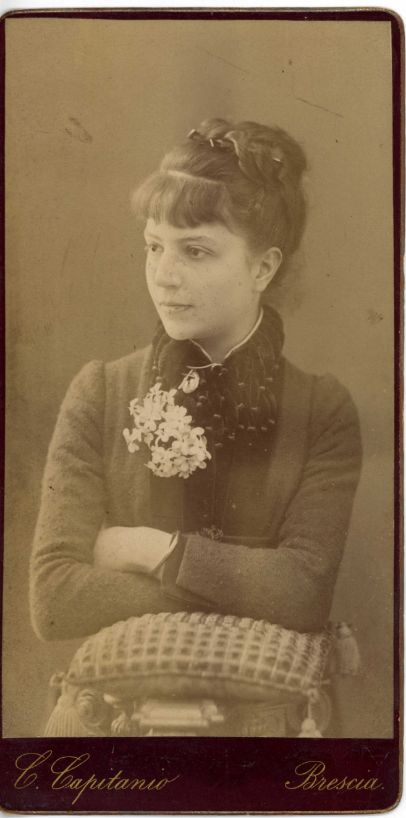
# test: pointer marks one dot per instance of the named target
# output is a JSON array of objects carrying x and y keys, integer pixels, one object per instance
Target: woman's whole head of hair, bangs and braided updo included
[{"x": 246, "y": 175}]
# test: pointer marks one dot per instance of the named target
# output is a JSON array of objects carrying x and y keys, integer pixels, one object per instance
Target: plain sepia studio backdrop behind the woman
[{"x": 91, "y": 106}]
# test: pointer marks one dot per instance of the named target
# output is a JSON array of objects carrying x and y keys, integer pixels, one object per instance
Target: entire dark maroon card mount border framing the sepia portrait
[{"x": 229, "y": 775}]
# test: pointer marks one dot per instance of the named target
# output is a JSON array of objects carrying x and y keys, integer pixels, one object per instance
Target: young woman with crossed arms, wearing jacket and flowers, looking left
[{"x": 250, "y": 518}]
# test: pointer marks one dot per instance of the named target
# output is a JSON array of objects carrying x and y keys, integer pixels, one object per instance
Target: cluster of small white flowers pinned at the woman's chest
[{"x": 177, "y": 448}]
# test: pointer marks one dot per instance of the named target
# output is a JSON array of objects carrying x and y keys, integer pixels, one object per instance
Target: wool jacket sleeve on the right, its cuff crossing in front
[{"x": 291, "y": 580}]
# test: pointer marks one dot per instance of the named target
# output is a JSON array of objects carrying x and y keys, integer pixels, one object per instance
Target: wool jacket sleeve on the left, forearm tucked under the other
[{"x": 69, "y": 596}]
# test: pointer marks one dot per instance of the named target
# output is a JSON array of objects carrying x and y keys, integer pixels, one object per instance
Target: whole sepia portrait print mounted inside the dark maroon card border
[{"x": 200, "y": 397}]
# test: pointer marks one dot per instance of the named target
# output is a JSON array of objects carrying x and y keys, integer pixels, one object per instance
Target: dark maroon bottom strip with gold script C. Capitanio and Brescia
[{"x": 243, "y": 775}]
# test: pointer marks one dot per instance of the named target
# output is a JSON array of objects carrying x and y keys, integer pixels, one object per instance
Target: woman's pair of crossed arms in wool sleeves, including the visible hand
[{"x": 82, "y": 580}]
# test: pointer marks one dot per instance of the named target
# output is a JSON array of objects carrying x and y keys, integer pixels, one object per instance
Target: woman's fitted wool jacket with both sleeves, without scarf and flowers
[{"x": 288, "y": 526}]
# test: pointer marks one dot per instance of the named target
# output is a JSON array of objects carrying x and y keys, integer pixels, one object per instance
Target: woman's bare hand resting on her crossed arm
[{"x": 139, "y": 549}]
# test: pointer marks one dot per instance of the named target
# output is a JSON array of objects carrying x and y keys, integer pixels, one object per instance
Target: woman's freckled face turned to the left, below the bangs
[{"x": 204, "y": 282}]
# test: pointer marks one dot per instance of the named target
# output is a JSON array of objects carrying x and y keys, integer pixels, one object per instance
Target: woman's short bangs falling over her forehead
[{"x": 182, "y": 200}]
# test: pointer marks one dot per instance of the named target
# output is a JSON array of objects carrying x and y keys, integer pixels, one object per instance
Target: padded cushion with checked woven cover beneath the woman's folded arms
[{"x": 197, "y": 654}]
